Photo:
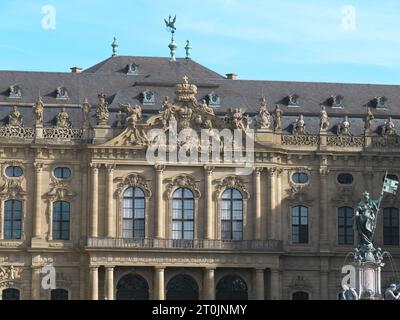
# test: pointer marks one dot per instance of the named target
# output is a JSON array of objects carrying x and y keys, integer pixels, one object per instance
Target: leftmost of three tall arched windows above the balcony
[{"x": 133, "y": 213}]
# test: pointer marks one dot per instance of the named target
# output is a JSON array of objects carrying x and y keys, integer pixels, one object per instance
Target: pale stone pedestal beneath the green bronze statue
[{"x": 368, "y": 279}]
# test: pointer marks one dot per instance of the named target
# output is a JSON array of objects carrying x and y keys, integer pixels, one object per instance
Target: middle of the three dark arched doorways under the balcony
[{"x": 182, "y": 287}]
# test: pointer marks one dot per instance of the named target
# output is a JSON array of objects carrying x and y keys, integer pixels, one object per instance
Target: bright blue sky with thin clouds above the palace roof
[{"x": 293, "y": 40}]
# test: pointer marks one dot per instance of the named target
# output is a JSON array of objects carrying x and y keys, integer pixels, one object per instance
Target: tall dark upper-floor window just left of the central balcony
[{"x": 61, "y": 220}]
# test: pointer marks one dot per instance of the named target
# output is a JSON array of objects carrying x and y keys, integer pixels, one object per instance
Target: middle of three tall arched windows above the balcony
[{"x": 183, "y": 214}]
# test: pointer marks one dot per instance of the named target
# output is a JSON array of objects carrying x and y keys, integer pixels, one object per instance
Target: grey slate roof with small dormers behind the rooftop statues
[{"x": 160, "y": 76}]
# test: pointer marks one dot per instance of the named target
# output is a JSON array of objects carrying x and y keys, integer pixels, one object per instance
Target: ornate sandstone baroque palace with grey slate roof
[{"x": 78, "y": 193}]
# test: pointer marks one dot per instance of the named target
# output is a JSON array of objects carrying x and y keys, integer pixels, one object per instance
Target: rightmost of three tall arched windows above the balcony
[{"x": 232, "y": 215}]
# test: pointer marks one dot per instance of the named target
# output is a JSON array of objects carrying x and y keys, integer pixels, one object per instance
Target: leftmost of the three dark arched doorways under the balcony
[{"x": 132, "y": 287}]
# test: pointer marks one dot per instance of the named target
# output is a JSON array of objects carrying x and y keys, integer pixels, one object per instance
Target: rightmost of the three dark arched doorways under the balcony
[{"x": 232, "y": 287}]
